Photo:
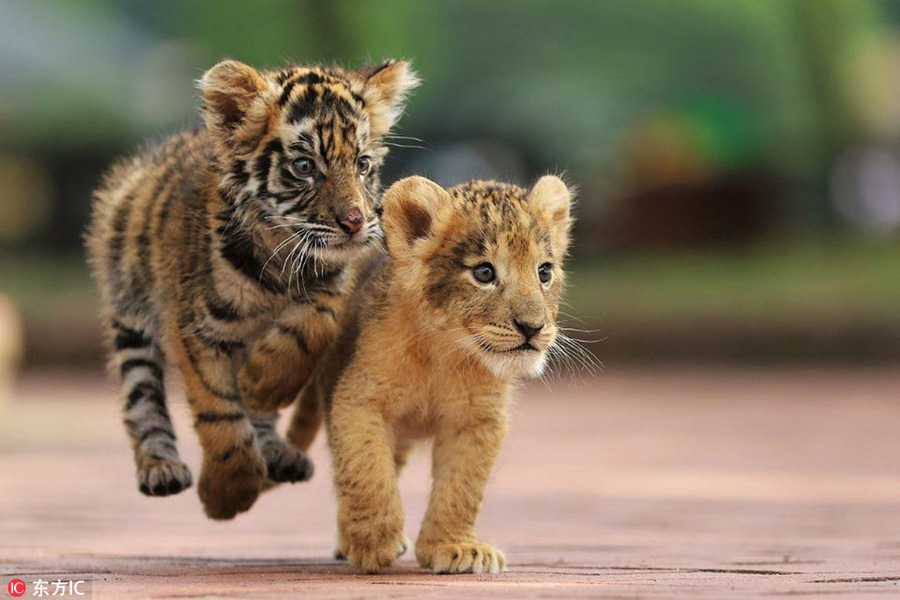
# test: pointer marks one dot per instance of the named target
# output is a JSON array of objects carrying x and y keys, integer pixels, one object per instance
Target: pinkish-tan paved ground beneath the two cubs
[{"x": 639, "y": 484}]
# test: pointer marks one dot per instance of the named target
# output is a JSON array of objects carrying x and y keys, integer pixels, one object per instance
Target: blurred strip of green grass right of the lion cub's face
[{"x": 853, "y": 280}]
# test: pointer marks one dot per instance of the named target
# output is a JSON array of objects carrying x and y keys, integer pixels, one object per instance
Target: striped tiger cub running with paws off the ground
[{"x": 226, "y": 249}]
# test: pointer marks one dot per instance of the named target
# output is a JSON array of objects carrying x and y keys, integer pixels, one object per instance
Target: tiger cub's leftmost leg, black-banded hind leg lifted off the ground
[{"x": 139, "y": 364}]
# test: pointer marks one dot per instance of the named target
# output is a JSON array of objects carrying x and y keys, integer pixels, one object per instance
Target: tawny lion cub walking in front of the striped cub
[{"x": 464, "y": 305}]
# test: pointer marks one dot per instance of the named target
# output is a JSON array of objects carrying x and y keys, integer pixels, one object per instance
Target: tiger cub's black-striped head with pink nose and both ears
[{"x": 300, "y": 148}]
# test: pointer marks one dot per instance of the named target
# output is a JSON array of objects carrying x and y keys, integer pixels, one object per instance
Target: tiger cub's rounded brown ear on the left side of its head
[{"x": 235, "y": 106}]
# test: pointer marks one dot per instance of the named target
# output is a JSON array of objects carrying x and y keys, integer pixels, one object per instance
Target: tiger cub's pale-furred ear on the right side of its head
[{"x": 385, "y": 90}]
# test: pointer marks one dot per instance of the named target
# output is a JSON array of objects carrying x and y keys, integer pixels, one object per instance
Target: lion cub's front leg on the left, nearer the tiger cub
[{"x": 370, "y": 516}]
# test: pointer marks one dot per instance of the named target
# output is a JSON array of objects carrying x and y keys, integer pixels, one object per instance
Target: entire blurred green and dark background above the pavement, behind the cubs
[{"x": 737, "y": 161}]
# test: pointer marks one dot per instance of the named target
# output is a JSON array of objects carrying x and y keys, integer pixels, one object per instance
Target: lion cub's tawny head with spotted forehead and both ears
[{"x": 482, "y": 262}]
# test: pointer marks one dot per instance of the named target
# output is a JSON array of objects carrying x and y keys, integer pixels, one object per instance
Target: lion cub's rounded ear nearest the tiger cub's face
[{"x": 411, "y": 207}]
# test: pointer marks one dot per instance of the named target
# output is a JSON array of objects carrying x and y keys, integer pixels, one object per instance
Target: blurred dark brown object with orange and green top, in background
[{"x": 695, "y": 178}]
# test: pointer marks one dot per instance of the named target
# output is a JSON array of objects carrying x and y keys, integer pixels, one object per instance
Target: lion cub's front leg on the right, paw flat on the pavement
[{"x": 463, "y": 457}]
